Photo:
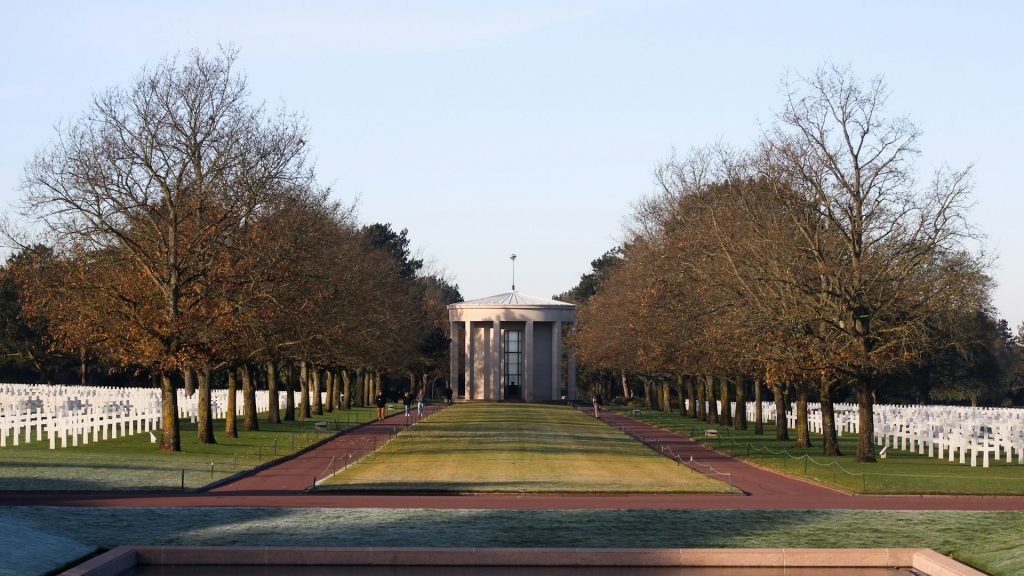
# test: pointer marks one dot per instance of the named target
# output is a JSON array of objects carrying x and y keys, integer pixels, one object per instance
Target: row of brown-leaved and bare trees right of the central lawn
[{"x": 817, "y": 260}]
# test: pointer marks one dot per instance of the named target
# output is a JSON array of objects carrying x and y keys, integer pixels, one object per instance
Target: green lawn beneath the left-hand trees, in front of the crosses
[{"x": 135, "y": 464}]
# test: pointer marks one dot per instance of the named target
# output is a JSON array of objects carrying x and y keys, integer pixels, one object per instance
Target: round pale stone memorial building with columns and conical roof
[{"x": 509, "y": 347}]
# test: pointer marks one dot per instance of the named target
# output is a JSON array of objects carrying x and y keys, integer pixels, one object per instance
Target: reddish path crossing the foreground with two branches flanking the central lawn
[{"x": 285, "y": 485}]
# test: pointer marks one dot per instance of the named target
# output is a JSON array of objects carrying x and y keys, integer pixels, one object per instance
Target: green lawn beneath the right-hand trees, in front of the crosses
[{"x": 901, "y": 473}]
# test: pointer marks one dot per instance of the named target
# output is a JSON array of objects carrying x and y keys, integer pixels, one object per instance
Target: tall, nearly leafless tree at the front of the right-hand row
[{"x": 834, "y": 148}]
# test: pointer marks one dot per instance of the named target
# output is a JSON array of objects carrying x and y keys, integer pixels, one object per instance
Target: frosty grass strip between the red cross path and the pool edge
[{"x": 990, "y": 542}]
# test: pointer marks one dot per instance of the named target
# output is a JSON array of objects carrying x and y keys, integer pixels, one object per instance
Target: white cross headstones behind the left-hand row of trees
[{"x": 72, "y": 416}]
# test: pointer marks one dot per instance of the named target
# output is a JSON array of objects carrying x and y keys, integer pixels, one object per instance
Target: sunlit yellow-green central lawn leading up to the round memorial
[{"x": 518, "y": 448}]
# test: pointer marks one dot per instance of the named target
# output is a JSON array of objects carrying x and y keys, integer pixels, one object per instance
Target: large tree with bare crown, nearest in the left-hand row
[{"x": 158, "y": 177}]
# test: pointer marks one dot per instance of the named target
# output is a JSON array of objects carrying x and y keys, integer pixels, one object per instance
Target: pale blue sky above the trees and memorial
[{"x": 533, "y": 128}]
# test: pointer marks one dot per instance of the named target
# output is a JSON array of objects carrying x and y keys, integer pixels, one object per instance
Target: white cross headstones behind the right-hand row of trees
[{"x": 957, "y": 433}]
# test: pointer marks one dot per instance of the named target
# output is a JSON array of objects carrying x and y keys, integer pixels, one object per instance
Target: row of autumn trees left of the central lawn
[{"x": 181, "y": 231}]
